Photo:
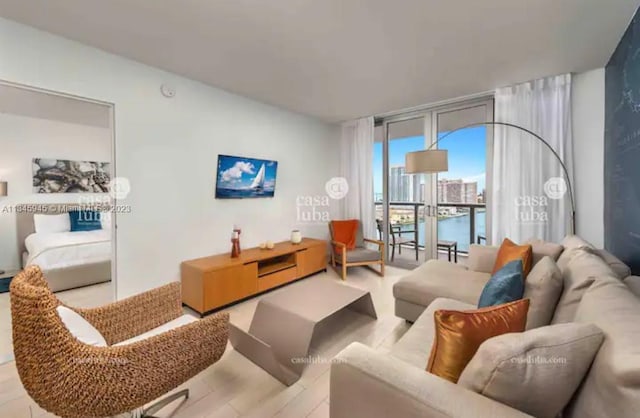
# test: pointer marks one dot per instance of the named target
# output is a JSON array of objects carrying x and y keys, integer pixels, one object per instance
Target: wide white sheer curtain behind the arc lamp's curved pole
[{"x": 528, "y": 198}]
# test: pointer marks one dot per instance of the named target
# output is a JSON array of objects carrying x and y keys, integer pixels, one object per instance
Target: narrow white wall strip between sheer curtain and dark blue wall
[{"x": 588, "y": 139}]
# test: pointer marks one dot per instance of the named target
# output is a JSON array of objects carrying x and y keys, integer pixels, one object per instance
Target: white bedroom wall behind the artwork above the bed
[{"x": 22, "y": 139}]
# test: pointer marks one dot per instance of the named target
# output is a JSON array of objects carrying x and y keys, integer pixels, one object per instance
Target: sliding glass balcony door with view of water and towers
[{"x": 422, "y": 215}]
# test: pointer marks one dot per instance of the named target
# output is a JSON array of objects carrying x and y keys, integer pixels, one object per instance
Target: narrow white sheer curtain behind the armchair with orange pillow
[{"x": 356, "y": 166}]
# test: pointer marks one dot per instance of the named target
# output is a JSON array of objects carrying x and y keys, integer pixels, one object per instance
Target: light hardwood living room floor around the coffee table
[{"x": 235, "y": 387}]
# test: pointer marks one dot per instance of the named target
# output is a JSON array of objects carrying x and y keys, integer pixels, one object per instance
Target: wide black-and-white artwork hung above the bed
[{"x": 65, "y": 176}]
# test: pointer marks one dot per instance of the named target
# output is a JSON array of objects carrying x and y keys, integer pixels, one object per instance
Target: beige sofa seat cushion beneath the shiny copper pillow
[{"x": 415, "y": 345}]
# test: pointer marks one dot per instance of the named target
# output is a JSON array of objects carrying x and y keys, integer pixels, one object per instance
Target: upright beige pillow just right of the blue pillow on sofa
[{"x": 543, "y": 288}]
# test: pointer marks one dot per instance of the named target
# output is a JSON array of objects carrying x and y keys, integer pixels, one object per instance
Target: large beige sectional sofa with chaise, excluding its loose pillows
[{"x": 369, "y": 383}]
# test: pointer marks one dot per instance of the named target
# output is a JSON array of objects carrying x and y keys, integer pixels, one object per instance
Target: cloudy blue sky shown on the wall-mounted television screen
[{"x": 238, "y": 172}]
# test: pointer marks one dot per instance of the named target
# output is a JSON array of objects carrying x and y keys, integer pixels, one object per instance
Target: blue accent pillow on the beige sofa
[{"x": 506, "y": 285}]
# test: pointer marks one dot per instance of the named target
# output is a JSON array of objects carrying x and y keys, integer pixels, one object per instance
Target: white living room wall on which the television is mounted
[{"x": 168, "y": 149}]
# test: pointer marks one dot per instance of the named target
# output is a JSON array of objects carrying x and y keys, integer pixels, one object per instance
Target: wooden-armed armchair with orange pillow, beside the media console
[{"x": 359, "y": 254}]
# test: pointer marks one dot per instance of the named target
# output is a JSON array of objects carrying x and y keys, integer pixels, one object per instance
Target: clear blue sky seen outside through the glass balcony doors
[{"x": 467, "y": 156}]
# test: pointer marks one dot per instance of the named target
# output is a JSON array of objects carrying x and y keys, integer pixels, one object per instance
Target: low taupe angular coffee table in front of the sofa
[{"x": 284, "y": 323}]
